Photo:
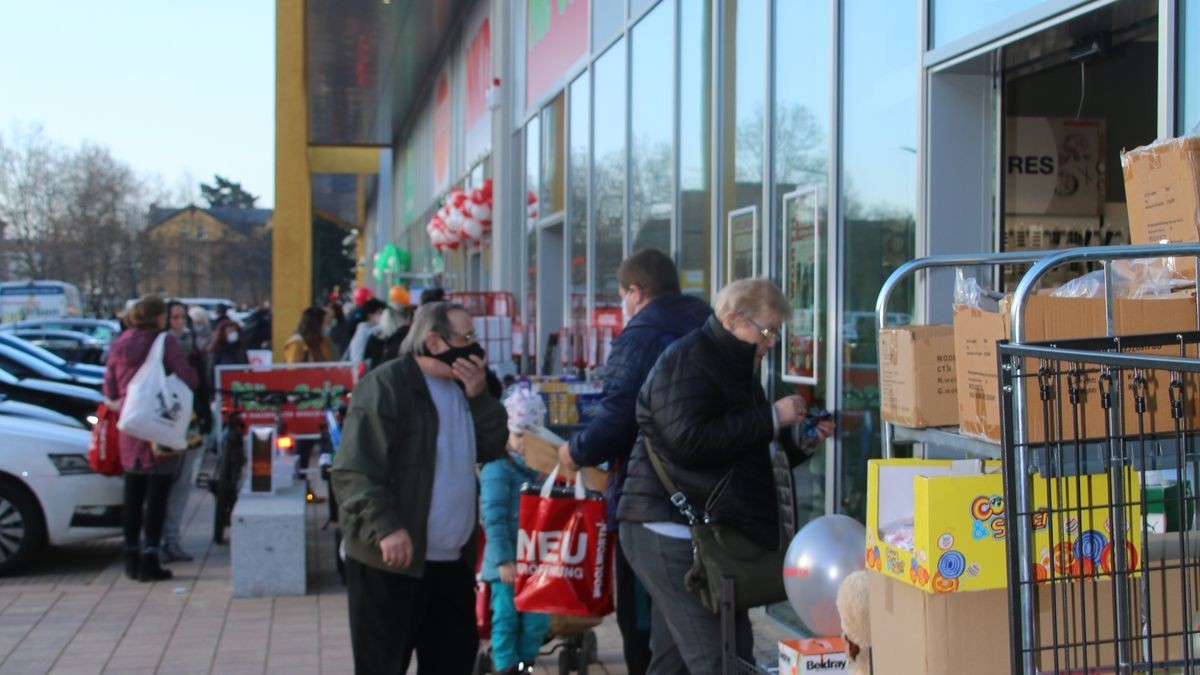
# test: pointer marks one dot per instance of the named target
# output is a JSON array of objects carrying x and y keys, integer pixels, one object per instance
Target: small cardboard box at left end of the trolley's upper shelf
[{"x": 917, "y": 381}]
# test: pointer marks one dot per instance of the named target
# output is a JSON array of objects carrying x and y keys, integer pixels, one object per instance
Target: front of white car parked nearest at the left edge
[{"x": 49, "y": 494}]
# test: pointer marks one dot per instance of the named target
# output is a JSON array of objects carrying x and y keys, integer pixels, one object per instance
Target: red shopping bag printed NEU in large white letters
[{"x": 565, "y": 552}]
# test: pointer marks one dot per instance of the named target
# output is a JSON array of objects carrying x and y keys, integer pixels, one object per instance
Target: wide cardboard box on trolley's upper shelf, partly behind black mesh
[{"x": 976, "y": 333}]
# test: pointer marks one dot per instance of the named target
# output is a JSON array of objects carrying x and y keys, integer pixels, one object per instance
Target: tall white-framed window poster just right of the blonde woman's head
[{"x": 802, "y": 285}]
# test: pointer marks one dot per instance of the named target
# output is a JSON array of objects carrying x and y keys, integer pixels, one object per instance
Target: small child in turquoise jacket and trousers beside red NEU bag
[{"x": 517, "y": 636}]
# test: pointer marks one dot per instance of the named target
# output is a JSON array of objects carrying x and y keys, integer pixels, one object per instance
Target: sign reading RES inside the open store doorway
[{"x": 1054, "y": 166}]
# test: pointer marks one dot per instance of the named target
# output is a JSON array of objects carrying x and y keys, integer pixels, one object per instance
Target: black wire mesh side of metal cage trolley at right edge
[{"x": 1101, "y": 486}]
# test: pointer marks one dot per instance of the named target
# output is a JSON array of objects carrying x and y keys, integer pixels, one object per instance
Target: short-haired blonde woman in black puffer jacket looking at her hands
[{"x": 710, "y": 422}]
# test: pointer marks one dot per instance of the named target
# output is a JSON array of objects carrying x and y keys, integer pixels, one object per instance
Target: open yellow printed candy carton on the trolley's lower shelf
[{"x": 941, "y": 525}]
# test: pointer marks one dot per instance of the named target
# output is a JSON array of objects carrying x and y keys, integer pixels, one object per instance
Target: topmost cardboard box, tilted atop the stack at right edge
[{"x": 1163, "y": 194}]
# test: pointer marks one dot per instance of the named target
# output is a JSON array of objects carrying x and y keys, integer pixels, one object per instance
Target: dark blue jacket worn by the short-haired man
[{"x": 610, "y": 437}]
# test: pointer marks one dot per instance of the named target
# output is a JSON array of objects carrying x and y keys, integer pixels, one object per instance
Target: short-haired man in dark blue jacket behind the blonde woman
[{"x": 657, "y": 314}]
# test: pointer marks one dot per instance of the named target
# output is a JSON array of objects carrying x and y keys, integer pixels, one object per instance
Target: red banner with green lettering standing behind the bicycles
[{"x": 305, "y": 417}]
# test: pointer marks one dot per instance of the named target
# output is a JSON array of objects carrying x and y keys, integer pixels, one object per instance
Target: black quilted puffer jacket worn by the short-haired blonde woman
[{"x": 706, "y": 414}]
